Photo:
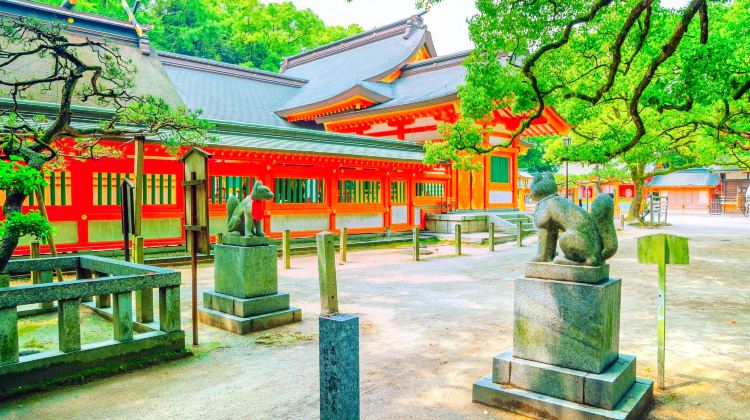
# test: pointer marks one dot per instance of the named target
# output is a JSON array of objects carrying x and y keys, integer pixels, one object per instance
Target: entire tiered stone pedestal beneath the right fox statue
[{"x": 565, "y": 360}]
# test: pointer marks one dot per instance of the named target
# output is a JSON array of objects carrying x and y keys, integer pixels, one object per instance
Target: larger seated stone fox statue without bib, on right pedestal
[{"x": 584, "y": 238}]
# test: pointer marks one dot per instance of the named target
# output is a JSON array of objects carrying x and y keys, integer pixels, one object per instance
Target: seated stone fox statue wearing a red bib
[{"x": 245, "y": 217}]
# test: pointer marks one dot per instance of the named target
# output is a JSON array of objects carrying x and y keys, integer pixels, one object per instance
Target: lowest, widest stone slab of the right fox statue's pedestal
[{"x": 633, "y": 405}]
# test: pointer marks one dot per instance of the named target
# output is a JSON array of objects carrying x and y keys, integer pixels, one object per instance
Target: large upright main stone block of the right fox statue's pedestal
[{"x": 568, "y": 324}]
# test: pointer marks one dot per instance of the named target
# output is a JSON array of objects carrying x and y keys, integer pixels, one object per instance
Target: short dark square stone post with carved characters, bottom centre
[{"x": 339, "y": 366}]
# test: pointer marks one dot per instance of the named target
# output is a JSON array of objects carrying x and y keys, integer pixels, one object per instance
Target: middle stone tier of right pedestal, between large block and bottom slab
[{"x": 603, "y": 390}]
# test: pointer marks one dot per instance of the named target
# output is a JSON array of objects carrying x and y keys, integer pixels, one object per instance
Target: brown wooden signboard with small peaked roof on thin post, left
[{"x": 196, "y": 218}]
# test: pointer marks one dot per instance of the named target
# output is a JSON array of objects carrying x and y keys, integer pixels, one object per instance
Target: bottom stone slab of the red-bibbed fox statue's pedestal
[{"x": 239, "y": 325}]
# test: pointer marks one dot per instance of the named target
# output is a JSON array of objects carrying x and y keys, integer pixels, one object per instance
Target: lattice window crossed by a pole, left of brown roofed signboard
[{"x": 159, "y": 189}]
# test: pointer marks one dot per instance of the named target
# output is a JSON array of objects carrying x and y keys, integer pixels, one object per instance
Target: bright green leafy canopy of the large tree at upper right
[{"x": 637, "y": 82}]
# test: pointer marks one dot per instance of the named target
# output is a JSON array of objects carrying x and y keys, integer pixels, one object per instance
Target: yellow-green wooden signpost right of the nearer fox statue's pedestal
[{"x": 662, "y": 249}]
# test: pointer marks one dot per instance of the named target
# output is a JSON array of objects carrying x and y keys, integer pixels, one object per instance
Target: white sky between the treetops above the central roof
[{"x": 446, "y": 21}]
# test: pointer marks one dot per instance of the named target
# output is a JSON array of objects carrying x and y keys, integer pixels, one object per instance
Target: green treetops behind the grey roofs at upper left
[{"x": 245, "y": 32}]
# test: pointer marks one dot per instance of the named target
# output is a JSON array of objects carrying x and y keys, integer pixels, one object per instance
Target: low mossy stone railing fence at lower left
[{"x": 113, "y": 283}]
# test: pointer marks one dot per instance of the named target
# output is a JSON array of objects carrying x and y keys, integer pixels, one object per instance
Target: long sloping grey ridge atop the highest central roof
[{"x": 404, "y": 27}]
